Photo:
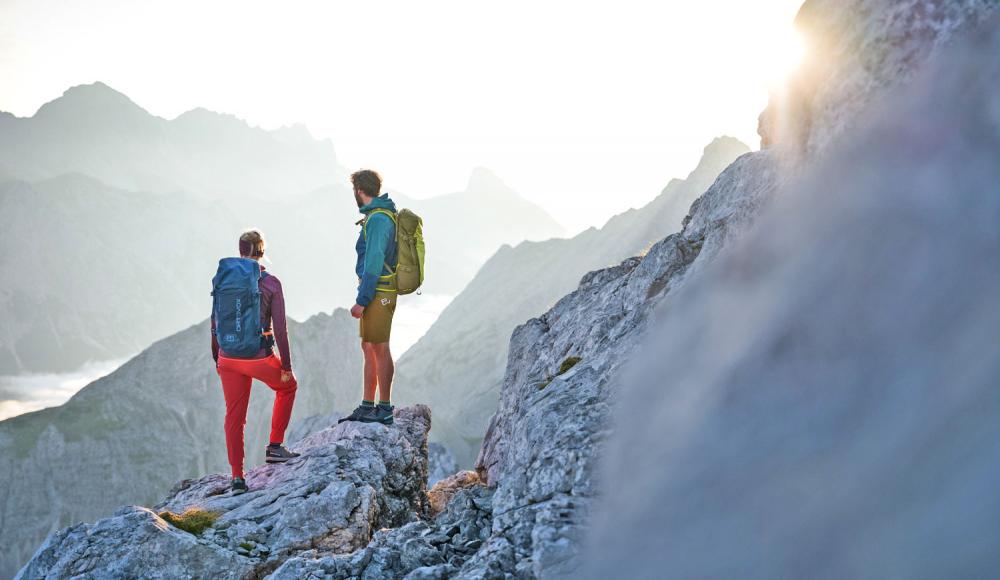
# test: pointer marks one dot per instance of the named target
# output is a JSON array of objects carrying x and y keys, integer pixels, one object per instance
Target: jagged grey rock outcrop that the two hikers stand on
[{"x": 351, "y": 480}]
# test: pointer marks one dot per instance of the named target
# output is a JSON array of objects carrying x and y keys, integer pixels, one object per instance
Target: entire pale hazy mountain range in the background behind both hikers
[{"x": 97, "y": 270}]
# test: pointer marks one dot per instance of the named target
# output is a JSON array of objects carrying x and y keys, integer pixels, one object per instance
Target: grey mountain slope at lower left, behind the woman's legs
[{"x": 127, "y": 438}]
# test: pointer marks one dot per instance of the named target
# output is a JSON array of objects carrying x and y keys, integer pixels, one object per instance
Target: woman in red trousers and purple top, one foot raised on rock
[{"x": 237, "y": 372}]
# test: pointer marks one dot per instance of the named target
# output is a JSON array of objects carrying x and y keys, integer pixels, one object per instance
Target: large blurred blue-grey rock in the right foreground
[{"x": 833, "y": 412}]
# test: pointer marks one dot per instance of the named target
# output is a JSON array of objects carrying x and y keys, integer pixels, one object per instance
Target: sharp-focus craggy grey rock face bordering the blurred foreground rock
[{"x": 543, "y": 443}]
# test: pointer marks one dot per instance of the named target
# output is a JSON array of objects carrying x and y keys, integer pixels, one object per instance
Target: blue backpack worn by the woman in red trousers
[{"x": 236, "y": 306}]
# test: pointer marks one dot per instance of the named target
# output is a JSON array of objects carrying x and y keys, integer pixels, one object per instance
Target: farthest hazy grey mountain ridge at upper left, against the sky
[{"x": 97, "y": 131}]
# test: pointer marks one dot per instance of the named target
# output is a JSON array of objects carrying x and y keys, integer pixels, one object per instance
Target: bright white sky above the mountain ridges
[{"x": 586, "y": 108}]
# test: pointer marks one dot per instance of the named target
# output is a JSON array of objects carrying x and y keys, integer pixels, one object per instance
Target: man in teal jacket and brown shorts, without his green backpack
[{"x": 376, "y": 300}]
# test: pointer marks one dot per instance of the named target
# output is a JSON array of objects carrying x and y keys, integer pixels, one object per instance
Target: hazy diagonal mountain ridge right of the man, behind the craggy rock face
[{"x": 462, "y": 384}]
